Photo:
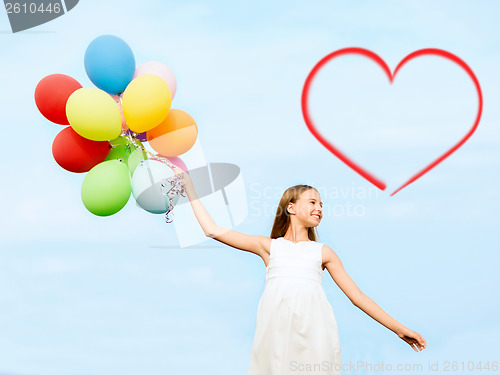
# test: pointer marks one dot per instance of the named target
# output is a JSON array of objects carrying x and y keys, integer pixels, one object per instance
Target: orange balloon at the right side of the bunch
[{"x": 175, "y": 135}]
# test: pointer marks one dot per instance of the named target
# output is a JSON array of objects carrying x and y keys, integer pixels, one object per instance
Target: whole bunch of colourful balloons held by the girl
[{"x": 109, "y": 123}]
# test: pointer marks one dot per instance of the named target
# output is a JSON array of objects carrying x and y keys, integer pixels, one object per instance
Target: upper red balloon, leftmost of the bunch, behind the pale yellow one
[{"x": 51, "y": 95}]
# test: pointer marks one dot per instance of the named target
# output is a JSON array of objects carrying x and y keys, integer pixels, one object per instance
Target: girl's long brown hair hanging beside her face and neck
[{"x": 282, "y": 220}]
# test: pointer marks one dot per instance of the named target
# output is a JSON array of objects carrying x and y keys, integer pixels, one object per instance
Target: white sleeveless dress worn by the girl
[{"x": 296, "y": 330}]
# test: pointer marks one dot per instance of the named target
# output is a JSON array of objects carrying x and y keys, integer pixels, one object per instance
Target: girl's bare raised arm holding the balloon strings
[{"x": 259, "y": 245}]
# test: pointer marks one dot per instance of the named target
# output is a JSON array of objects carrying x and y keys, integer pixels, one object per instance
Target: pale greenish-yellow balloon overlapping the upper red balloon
[{"x": 93, "y": 114}]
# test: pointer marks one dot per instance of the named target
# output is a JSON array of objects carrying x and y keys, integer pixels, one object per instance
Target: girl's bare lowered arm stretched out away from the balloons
[{"x": 365, "y": 303}]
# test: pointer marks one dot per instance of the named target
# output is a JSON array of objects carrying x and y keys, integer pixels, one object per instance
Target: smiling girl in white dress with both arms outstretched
[{"x": 296, "y": 329}]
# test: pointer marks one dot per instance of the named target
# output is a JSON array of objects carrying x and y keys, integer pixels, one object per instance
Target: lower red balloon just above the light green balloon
[{"x": 77, "y": 154}]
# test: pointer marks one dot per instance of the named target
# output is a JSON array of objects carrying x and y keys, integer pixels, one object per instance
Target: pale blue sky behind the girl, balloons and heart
[{"x": 81, "y": 294}]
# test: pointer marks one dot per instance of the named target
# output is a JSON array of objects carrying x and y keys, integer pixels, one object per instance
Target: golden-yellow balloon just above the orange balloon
[{"x": 146, "y": 102}]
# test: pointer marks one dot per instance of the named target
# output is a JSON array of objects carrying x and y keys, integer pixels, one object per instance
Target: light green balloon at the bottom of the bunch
[{"x": 106, "y": 188}]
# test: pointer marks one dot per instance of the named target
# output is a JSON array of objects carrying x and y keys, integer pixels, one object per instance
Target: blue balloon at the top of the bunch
[{"x": 110, "y": 63}]
